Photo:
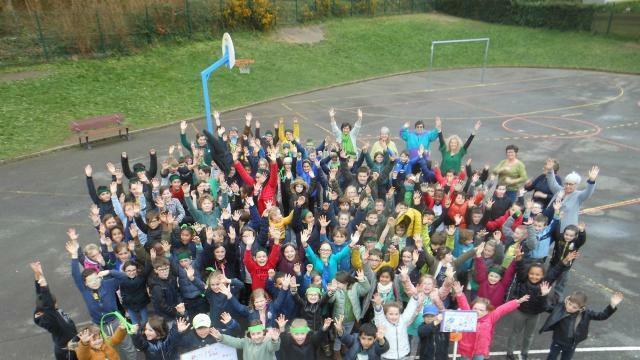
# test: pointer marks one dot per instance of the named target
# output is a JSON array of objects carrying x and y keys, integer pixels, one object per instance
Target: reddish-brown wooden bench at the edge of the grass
[{"x": 99, "y": 127}]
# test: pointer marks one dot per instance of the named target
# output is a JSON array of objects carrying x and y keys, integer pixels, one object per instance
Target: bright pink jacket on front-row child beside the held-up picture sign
[{"x": 479, "y": 342}]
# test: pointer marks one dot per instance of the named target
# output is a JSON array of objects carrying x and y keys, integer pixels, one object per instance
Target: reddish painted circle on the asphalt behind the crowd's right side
[{"x": 556, "y": 130}]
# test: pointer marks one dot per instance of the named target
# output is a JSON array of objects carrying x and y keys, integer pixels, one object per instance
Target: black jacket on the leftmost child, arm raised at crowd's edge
[{"x": 56, "y": 322}]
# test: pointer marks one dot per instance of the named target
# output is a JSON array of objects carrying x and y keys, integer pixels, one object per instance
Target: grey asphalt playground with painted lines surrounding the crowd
[{"x": 581, "y": 118}]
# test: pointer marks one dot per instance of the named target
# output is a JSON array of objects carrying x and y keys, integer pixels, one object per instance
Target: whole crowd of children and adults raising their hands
[{"x": 339, "y": 249}]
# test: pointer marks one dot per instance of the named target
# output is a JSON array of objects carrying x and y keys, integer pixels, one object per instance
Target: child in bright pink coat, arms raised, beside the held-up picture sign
[{"x": 476, "y": 345}]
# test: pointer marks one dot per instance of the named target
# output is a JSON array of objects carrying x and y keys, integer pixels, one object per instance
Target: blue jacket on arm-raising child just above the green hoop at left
[{"x": 98, "y": 302}]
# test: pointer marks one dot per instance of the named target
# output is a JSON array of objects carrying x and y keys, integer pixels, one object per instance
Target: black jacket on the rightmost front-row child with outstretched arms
[{"x": 560, "y": 322}]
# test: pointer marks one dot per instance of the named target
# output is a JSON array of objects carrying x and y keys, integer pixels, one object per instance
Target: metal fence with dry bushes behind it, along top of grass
[{"x": 29, "y": 37}]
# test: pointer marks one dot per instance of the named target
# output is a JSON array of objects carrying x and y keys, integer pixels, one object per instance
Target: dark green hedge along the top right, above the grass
[{"x": 563, "y": 16}]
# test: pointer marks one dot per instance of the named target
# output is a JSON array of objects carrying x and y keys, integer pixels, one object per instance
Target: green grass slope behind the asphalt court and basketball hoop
[{"x": 161, "y": 84}]
